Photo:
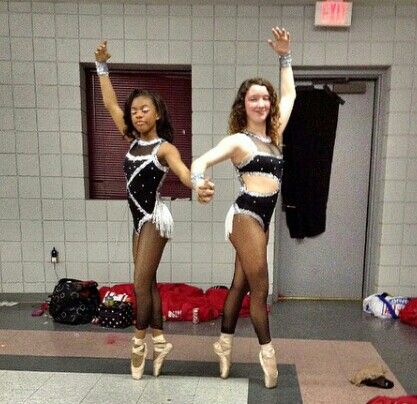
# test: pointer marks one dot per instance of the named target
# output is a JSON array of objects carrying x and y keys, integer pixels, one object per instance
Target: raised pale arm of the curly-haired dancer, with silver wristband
[{"x": 281, "y": 45}]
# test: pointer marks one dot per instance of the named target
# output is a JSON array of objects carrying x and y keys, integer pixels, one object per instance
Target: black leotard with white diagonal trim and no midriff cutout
[{"x": 144, "y": 177}]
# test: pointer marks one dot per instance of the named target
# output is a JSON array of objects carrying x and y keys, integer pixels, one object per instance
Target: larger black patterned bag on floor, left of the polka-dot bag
[{"x": 74, "y": 301}]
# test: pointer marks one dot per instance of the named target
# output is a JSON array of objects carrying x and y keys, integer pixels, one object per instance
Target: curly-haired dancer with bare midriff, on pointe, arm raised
[{"x": 256, "y": 123}]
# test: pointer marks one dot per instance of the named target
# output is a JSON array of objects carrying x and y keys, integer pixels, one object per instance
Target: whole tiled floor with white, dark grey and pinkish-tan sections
[{"x": 320, "y": 345}]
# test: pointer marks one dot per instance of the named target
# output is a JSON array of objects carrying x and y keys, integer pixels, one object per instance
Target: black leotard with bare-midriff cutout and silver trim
[{"x": 265, "y": 160}]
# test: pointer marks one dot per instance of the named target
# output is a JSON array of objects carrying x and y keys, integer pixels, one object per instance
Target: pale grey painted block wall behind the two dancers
[{"x": 42, "y": 193}]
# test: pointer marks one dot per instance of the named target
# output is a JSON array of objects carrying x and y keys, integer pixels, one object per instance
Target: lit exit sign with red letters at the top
[{"x": 333, "y": 14}]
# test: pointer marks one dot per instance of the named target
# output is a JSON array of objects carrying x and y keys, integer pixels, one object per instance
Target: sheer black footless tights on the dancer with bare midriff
[{"x": 251, "y": 274}]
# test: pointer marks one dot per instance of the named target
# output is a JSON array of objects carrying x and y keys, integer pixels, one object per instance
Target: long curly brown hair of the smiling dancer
[{"x": 238, "y": 117}]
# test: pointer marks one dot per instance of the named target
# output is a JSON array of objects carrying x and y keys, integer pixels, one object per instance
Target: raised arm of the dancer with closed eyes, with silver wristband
[{"x": 109, "y": 96}]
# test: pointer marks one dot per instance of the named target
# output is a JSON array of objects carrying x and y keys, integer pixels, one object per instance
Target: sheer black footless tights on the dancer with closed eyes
[{"x": 148, "y": 247}]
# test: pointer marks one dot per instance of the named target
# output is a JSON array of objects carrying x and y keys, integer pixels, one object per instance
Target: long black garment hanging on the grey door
[{"x": 308, "y": 152}]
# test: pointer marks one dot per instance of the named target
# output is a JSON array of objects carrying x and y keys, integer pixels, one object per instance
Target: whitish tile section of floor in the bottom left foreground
[{"x": 49, "y": 387}]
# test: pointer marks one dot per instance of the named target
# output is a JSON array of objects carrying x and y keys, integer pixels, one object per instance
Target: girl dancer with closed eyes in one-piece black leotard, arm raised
[{"x": 145, "y": 124}]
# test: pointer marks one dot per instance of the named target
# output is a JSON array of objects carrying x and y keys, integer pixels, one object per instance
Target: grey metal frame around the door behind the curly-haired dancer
[{"x": 375, "y": 193}]
